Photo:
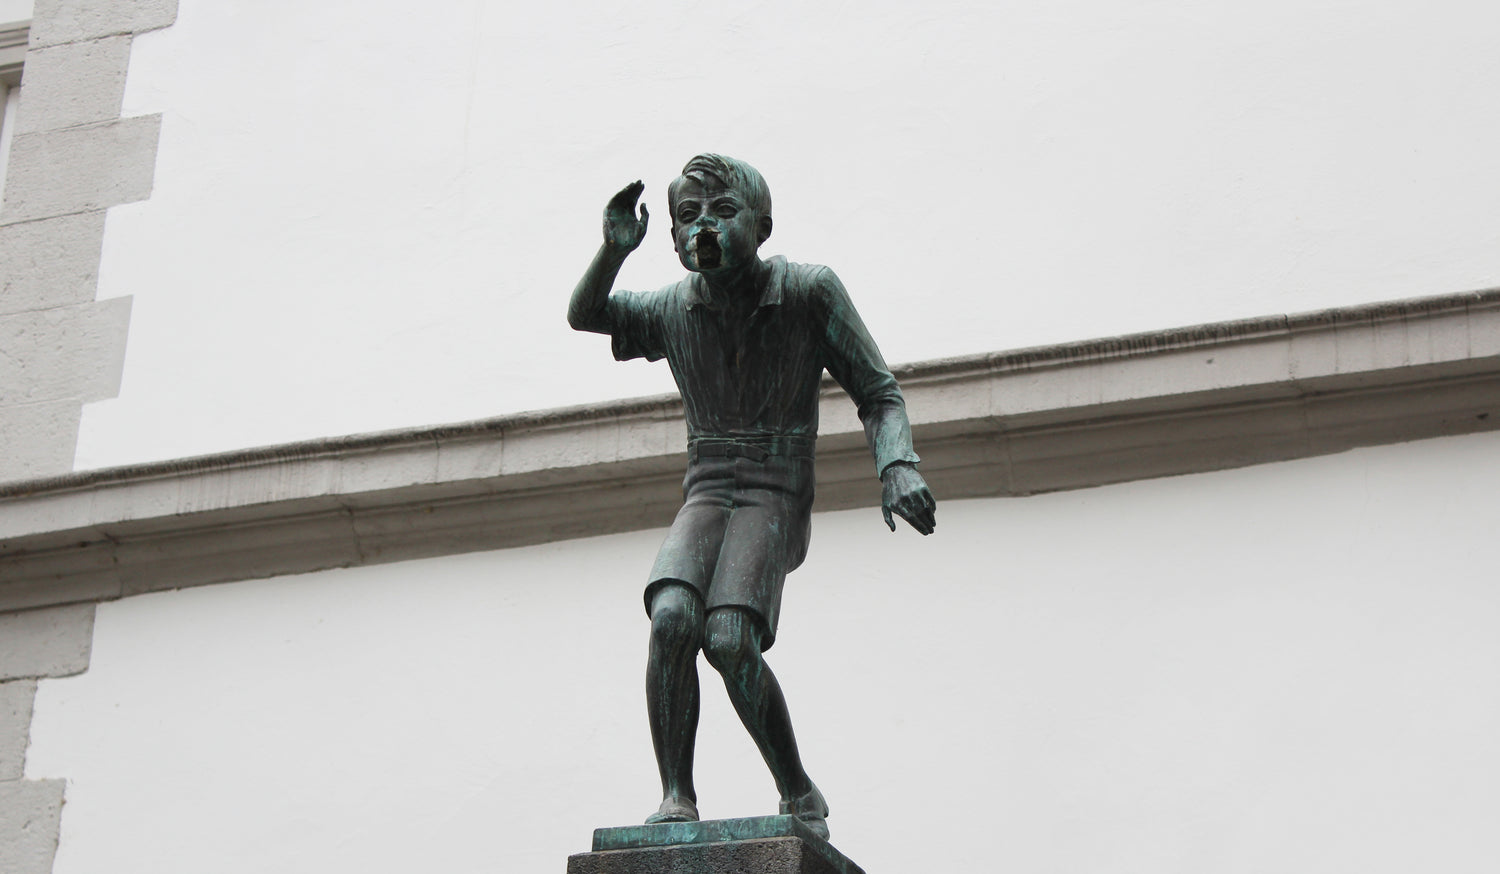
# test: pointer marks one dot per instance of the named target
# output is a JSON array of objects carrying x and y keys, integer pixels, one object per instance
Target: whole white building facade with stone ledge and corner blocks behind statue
[{"x": 1201, "y": 599}]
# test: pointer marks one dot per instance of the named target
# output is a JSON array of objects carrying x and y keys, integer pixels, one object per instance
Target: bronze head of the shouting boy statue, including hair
[{"x": 721, "y": 214}]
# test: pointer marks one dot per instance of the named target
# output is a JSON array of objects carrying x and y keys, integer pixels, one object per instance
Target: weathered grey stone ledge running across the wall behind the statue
[{"x": 1009, "y": 424}]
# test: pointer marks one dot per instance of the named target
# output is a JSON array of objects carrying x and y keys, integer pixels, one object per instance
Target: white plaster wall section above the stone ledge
[{"x": 370, "y": 214}]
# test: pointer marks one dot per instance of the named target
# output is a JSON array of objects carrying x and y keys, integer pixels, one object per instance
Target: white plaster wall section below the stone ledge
[{"x": 1286, "y": 668}]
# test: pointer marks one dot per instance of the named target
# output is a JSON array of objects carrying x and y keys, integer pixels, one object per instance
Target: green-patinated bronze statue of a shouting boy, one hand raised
[{"x": 748, "y": 343}]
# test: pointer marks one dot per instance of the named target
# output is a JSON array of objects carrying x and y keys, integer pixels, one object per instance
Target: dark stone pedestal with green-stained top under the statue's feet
[{"x": 746, "y": 846}]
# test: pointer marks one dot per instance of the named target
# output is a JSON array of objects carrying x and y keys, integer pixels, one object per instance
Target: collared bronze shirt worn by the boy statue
[{"x": 760, "y": 376}]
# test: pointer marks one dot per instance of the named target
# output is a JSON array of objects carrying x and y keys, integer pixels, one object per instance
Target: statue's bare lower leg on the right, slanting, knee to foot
[{"x": 733, "y": 645}]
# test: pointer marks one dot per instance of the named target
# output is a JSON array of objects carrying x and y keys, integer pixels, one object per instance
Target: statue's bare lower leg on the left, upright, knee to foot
[{"x": 677, "y": 635}]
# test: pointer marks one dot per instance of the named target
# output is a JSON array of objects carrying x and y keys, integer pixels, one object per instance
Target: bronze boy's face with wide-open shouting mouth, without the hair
[{"x": 715, "y": 229}]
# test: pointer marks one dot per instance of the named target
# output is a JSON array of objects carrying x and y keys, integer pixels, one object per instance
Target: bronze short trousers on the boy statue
[{"x": 746, "y": 522}]
